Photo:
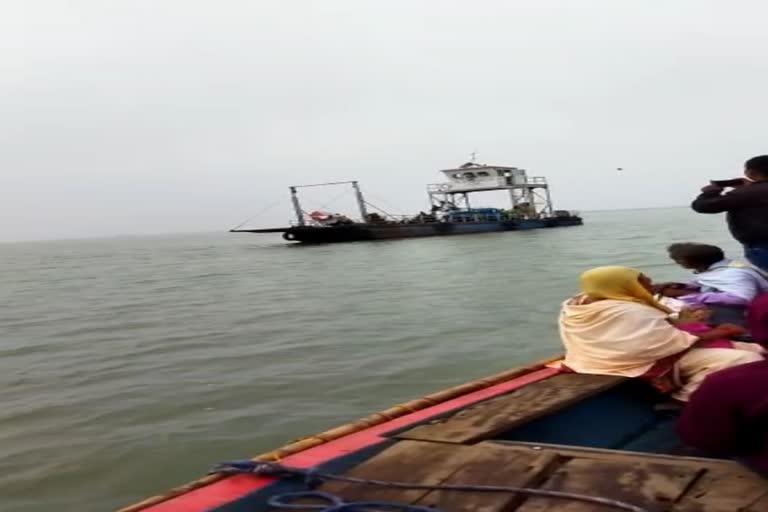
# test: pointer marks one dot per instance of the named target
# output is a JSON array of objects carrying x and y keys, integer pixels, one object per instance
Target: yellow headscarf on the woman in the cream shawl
[{"x": 618, "y": 283}]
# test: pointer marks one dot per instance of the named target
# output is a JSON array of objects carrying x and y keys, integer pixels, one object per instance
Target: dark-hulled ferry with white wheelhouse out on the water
[{"x": 451, "y": 211}]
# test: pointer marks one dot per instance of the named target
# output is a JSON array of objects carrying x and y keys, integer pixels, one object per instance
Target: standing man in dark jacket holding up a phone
[{"x": 747, "y": 209}]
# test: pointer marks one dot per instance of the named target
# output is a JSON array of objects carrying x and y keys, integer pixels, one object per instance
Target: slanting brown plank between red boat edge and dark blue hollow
[{"x": 486, "y": 419}]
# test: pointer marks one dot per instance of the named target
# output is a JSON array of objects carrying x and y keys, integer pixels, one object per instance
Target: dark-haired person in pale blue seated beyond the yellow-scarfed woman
[{"x": 718, "y": 280}]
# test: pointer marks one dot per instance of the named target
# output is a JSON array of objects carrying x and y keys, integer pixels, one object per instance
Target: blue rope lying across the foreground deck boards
[{"x": 312, "y": 477}]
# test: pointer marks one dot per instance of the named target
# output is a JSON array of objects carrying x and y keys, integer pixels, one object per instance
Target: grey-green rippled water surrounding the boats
[{"x": 130, "y": 365}]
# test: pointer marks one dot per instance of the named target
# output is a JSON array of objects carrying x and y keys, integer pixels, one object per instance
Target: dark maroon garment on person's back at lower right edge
[{"x": 728, "y": 415}]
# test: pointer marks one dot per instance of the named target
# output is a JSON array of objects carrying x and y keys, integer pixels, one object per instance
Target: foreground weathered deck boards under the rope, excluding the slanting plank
[{"x": 657, "y": 483}]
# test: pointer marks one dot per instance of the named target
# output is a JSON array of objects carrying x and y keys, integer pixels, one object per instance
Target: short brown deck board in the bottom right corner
[{"x": 719, "y": 490}]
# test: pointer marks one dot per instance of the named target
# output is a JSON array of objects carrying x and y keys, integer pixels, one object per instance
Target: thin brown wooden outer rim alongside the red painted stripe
[{"x": 360, "y": 425}]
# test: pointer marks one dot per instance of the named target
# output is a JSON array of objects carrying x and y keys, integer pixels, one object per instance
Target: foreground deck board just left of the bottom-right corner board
[{"x": 652, "y": 486}]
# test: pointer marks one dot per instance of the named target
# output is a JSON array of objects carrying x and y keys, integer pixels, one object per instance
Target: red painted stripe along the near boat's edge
[{"x": 229, "y": 489}]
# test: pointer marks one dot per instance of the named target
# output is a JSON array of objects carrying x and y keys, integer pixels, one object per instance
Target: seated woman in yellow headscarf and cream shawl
[{"x": 616, "y": 327}]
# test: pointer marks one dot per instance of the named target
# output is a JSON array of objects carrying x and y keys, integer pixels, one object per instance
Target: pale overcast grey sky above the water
[{"x": 155, "y": 116}]
